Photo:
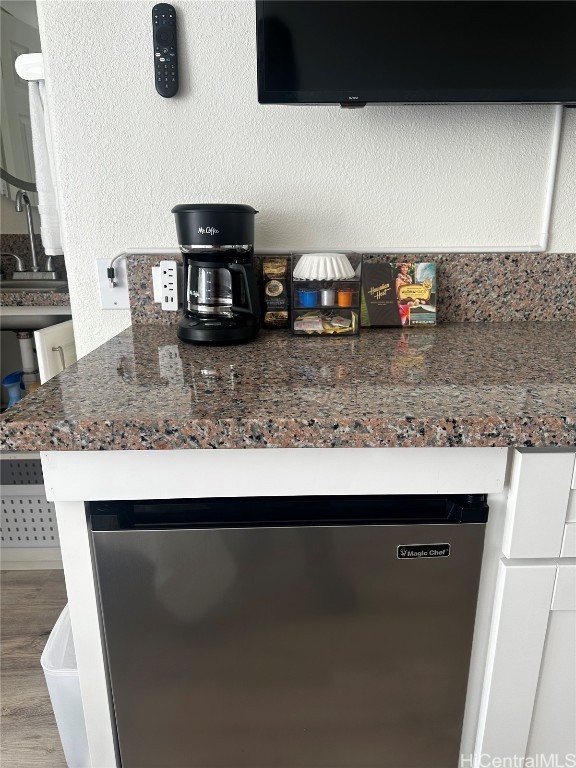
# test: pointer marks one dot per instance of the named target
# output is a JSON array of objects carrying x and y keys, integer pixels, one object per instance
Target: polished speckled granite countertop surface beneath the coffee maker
[{"x": 477, "y": 384}]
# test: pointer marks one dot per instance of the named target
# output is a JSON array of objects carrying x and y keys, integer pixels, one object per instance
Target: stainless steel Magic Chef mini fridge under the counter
[{"x": 294, "y": 632}]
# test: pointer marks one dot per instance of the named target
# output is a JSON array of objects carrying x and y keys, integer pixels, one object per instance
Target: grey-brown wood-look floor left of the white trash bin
[{"x": 31, "y": 603}]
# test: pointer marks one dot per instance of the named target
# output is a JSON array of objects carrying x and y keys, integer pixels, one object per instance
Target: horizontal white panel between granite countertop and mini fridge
[{"x": 71, "y": 475}]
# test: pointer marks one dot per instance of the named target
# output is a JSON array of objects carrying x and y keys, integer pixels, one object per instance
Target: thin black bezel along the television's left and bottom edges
[{"x": 398, "y": 97}]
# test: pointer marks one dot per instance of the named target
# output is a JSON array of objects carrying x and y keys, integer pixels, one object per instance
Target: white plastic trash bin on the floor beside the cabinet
[{"x": 59, "y": 664}]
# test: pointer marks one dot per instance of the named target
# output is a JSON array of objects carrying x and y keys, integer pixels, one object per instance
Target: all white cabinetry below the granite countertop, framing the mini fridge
[{"x": 523, "y": 680}]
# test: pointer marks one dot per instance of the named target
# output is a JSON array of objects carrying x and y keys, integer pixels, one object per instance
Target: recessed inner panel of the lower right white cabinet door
[{"x": 553, "y": 730}]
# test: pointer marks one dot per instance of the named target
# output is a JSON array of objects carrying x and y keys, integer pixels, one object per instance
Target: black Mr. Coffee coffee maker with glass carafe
[{"x": 221, "y": 303}]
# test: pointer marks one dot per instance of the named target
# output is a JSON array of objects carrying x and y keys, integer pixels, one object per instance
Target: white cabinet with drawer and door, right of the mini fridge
[{"x": 528, "y": 705}]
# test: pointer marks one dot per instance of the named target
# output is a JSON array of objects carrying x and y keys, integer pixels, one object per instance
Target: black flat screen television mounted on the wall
[{"x": 353, "y": 52}]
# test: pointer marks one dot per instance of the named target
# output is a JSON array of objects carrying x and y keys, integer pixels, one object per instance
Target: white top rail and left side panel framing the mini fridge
[{"x": 73, "y": 477}]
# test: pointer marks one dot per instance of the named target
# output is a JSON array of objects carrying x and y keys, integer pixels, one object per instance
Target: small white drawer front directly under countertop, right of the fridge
[{"x": 538, "y": 503}]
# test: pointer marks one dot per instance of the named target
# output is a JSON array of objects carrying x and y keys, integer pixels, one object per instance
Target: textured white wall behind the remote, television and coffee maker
[{"x": 320, "y": 176}]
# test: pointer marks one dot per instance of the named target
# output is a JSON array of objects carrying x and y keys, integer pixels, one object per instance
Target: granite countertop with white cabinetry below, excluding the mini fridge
[{"x": 460, "y": 409}]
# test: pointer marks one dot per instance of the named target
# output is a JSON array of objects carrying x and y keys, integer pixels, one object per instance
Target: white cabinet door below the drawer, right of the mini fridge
[{"x": 528, "y": 707}]
